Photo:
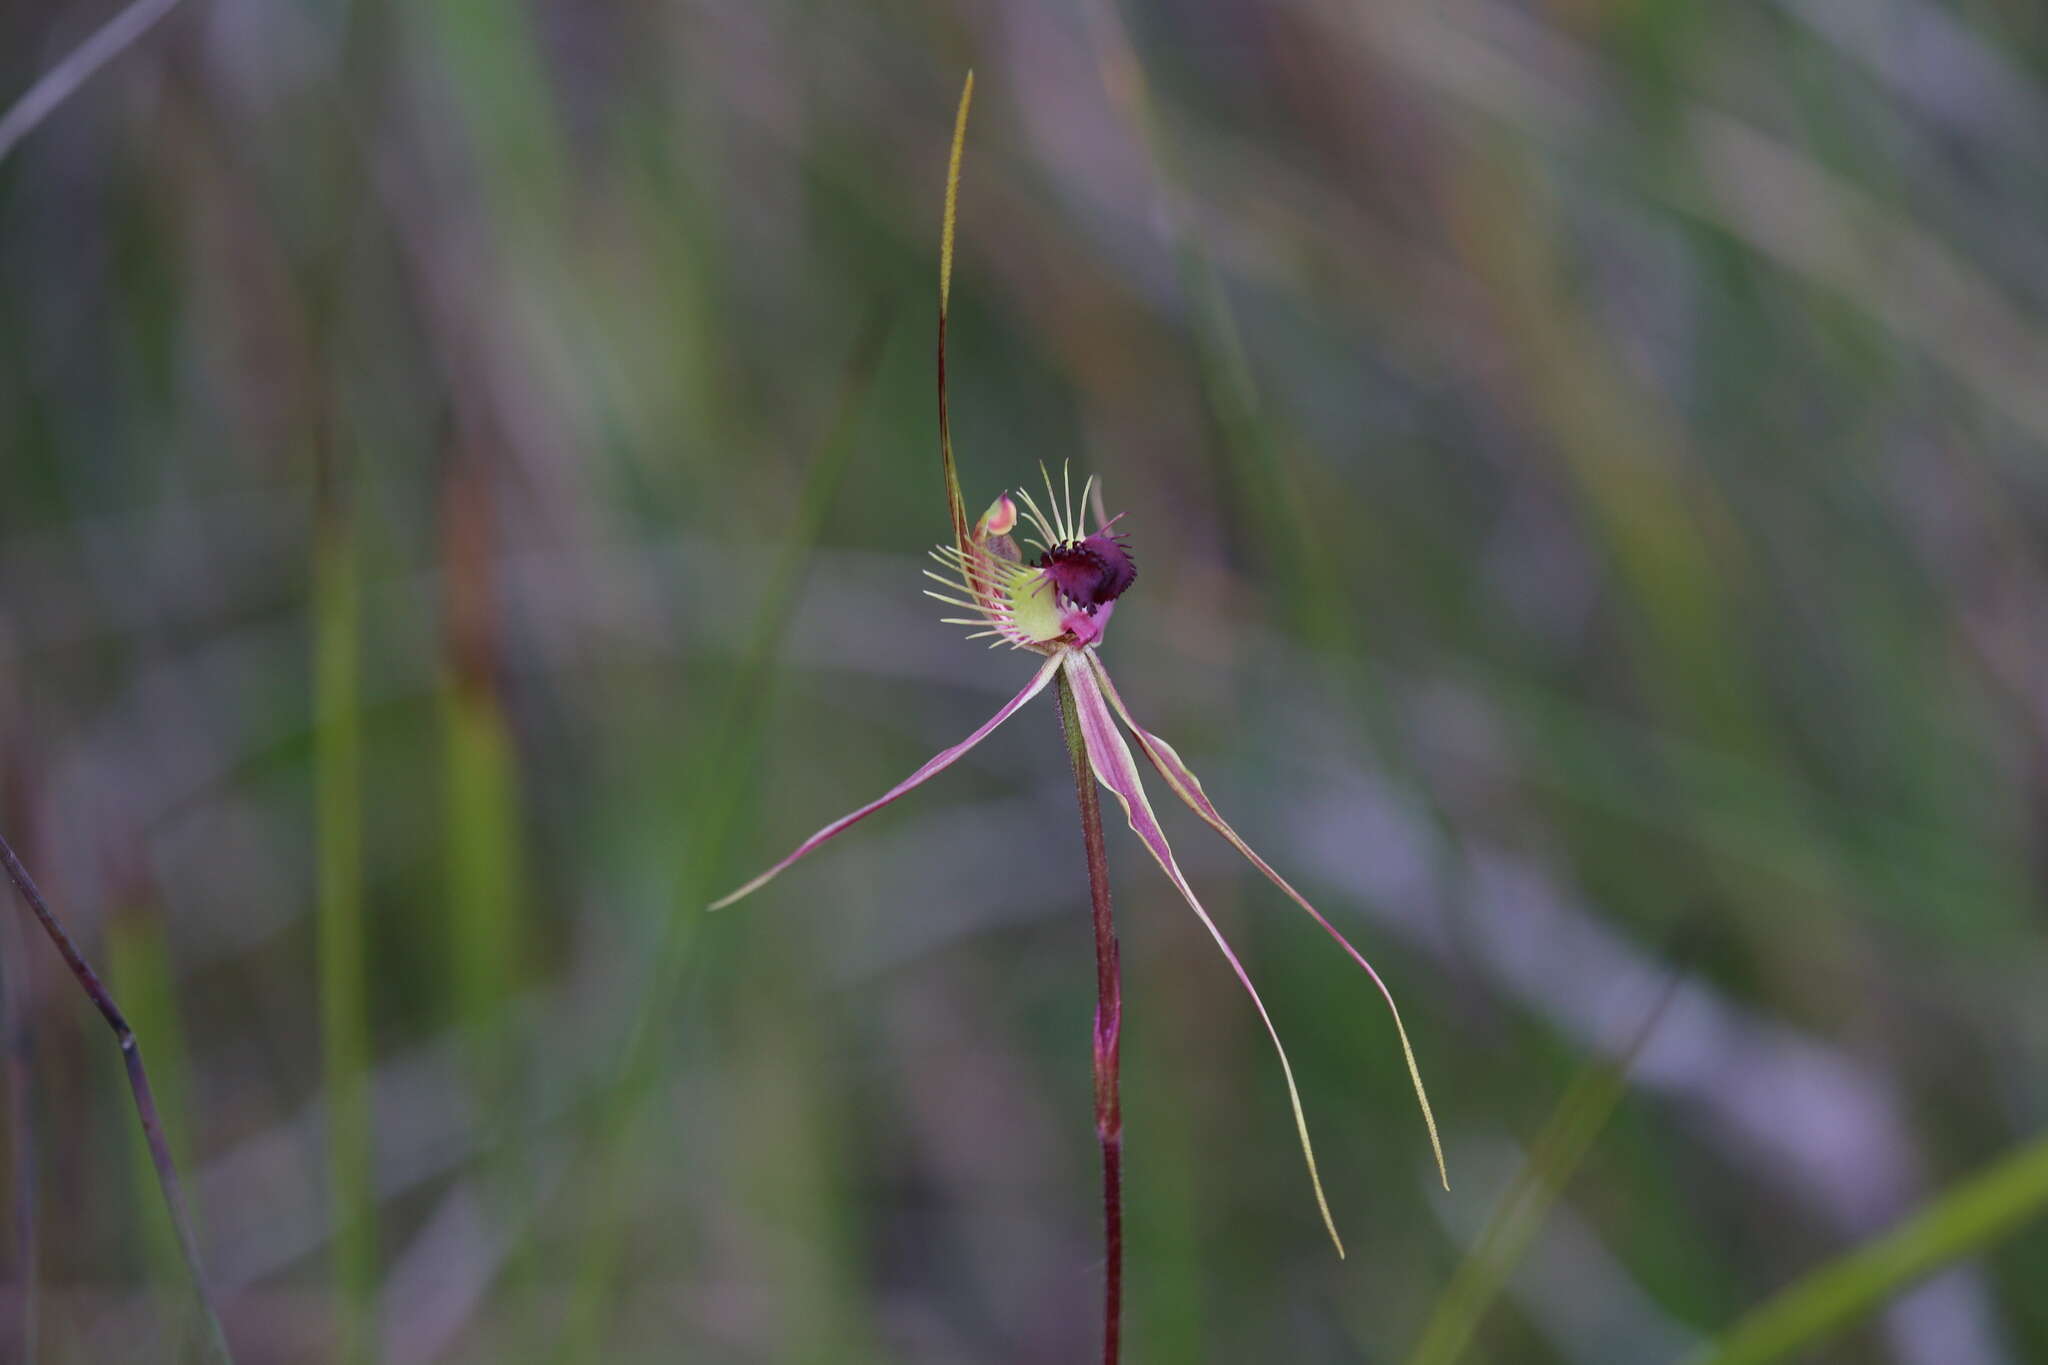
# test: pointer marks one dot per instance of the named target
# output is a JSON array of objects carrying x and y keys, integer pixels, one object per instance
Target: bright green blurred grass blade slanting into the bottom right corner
[{"x": 1965, "y": 1221}]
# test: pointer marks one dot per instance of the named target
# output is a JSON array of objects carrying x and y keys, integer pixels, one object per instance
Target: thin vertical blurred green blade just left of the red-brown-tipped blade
[{"x": 341, "y": 934}]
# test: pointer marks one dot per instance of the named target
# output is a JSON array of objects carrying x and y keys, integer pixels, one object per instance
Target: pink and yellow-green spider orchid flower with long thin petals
[{"x": 1054, "y": 592}]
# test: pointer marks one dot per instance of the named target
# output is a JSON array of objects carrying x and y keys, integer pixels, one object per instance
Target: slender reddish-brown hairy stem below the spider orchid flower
[{"x": 1109, "y": 1028}]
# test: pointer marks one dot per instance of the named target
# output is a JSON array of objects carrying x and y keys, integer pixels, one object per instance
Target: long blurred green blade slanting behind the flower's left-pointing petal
[{"x": 734, "y": 740}]
